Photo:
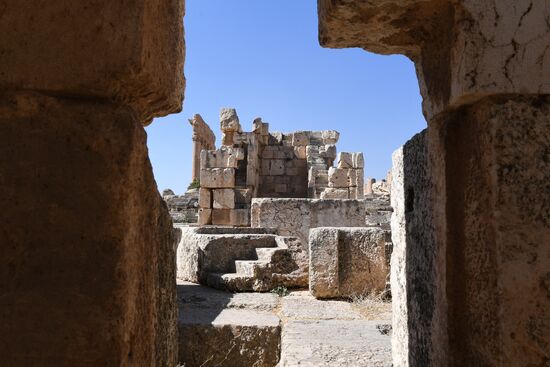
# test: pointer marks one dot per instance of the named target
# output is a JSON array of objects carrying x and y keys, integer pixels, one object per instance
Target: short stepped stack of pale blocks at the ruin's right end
[{"x": 346, "y": 181}]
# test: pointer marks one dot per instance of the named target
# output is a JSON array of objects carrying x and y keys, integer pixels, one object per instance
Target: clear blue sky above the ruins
[{"x": 263, "y": 58}]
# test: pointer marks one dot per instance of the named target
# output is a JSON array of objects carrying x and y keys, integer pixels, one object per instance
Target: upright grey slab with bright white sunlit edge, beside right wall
[{"x": 417, "y": 309}]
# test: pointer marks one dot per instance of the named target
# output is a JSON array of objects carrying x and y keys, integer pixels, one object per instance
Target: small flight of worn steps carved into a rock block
[{"x": 268, "y": 268}]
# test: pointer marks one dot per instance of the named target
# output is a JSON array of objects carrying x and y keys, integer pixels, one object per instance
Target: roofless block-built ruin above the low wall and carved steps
[{"x": 263, "y": 164}]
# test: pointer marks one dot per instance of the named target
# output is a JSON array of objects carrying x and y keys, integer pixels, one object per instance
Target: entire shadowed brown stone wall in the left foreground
[{"x": 87, "y": 265}]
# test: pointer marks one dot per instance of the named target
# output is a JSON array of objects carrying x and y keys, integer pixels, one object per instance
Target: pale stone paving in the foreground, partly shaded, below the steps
[{"x": 309, "y": 332}]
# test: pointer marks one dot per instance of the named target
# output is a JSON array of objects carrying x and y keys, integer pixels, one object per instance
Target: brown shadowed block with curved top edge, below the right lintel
[{"x": 498, "y": 151}]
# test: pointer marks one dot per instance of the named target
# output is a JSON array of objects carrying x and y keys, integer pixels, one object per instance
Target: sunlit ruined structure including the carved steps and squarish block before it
[{"x": 260, "y": 194}]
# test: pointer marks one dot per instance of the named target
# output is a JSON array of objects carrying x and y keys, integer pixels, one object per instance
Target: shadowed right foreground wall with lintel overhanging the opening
[{"x": 484, "y": 76}]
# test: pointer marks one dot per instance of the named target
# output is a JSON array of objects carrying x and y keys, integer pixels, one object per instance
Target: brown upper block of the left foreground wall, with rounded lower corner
[{"x": 105, "y": 49}]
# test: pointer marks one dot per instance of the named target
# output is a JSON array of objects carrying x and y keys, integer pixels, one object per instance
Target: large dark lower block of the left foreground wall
[{"x": 85, "y": 232}]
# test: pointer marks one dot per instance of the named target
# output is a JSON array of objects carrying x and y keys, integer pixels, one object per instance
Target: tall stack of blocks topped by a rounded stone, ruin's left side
[{"x": 220, "y": 201}]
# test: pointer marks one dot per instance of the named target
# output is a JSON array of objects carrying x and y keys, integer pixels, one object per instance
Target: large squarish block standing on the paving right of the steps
[{"x": 347, "y": 262}]
